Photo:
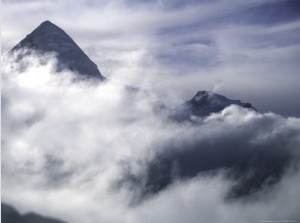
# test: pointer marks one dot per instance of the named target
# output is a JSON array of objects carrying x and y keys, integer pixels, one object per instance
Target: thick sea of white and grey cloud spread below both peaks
[{"x": 65, "y": 144}]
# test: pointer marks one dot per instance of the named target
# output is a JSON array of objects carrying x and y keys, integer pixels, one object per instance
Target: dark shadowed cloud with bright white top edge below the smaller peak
[{"x": 255, "y": 149}]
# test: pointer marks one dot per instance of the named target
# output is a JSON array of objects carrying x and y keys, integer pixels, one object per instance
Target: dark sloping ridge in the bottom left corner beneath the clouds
[{"x": 11, "y": 215}]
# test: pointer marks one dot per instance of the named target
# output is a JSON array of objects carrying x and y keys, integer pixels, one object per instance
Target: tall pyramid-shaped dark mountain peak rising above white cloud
[{"x": 49, "y": 38}]
